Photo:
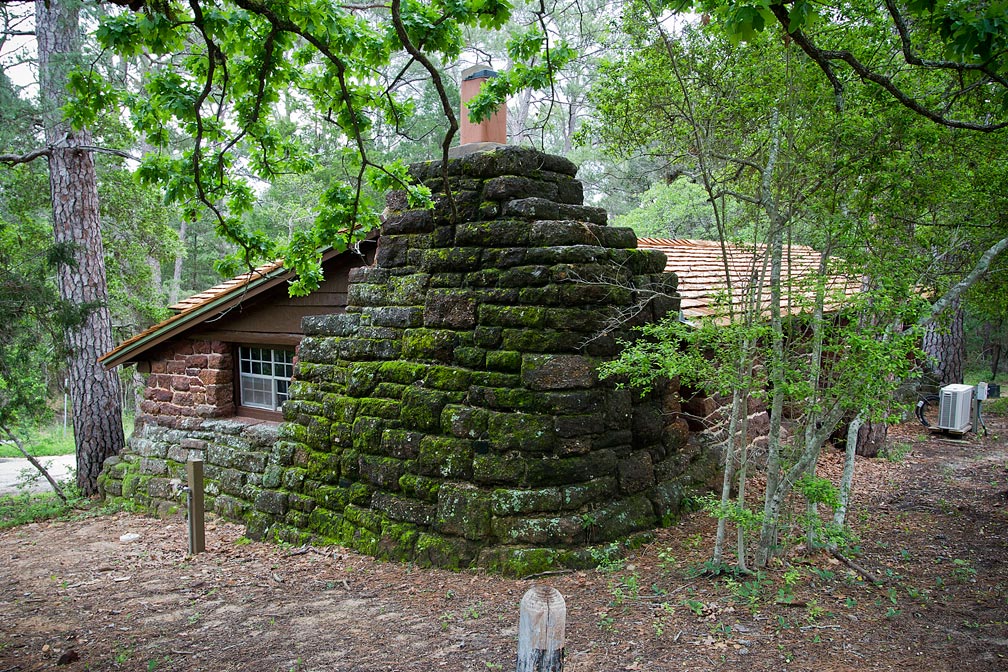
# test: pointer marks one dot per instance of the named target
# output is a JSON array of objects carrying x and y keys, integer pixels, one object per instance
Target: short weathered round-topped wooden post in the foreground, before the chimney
[{"x": 541, "y": 631}]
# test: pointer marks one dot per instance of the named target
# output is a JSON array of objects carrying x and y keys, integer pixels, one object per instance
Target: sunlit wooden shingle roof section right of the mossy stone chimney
[{"x": 712, "y": 277}]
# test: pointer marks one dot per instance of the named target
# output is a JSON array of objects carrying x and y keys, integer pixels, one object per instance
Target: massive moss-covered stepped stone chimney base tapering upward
[{"x": 454, "y": 417}]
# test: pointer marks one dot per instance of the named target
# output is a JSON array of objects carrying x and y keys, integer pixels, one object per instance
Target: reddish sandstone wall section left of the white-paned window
[{"x": 192, "y": 379}]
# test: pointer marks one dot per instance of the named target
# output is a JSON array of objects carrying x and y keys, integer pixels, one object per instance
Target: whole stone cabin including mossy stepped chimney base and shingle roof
[{"x": 445, "y": 408}]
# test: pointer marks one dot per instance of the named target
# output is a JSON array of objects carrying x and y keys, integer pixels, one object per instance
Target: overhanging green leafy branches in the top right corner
[{"x": 952, "y": 68}]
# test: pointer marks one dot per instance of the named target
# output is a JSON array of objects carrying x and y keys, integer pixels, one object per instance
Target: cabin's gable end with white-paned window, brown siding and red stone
[{"x": 230, "y": 351}]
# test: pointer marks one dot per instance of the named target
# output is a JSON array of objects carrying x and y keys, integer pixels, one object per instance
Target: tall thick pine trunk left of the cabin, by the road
[{"x": 98, "y": 430}]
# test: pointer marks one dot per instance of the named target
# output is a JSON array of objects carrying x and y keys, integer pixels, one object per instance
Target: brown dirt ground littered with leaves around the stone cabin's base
[{"x": 81, "y": 596}]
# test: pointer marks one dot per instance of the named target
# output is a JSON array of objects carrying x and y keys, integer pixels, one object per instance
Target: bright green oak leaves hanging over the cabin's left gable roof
[{"x": 250, "y": 71}]
